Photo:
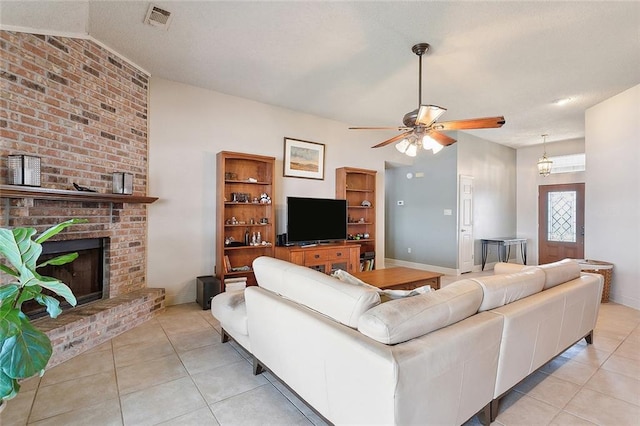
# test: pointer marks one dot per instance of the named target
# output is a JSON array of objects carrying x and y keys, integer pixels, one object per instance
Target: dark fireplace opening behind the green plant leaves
[{"x": 85, "y": 276}]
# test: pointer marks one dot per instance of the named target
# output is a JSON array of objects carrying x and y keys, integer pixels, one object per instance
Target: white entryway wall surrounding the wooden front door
[{"x": 528, "y": 181}]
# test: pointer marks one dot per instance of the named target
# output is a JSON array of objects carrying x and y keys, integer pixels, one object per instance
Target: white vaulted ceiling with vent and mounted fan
[{"x": 352, "y": 61}]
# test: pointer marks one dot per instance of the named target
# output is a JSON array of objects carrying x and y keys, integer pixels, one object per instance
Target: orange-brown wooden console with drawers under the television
[{"x": 325, "y": 258}]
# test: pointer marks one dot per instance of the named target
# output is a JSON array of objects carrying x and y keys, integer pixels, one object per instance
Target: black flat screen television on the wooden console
[{"x": 316, "y": 220}]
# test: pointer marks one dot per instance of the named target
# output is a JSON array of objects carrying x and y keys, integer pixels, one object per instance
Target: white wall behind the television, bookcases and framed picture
[{"x": 187, "y": 127}]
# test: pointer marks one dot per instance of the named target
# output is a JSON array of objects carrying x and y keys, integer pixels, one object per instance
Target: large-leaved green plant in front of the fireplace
[{"x": 25, "y": 350}]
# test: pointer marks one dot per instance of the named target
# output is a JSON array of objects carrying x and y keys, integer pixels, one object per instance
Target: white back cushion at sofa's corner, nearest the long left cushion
[{"x": 404, "y": 319}]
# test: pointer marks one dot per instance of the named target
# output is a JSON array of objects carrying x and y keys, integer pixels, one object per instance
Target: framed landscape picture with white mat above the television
[{"x": 303, "y": 159}]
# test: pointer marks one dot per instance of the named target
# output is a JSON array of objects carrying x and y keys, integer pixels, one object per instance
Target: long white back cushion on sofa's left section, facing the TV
[{"x": 341, "y": 301}]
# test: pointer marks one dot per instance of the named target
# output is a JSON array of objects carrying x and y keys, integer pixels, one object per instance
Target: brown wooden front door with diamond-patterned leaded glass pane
[{"x": 560, "y": 222}]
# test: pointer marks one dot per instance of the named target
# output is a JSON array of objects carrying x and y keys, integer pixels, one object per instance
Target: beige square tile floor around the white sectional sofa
[{"x": 173, "y": 370}]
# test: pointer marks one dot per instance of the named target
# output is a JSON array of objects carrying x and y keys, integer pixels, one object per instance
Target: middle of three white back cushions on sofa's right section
[{"x": 506, "y": 288}]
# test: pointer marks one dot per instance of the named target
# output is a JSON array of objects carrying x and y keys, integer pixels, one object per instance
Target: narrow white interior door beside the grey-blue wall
[{"x": 465, "y": 224}]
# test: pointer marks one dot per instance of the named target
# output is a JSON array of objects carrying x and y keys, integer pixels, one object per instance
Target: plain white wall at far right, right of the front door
[{"x": 612, "y": 211}]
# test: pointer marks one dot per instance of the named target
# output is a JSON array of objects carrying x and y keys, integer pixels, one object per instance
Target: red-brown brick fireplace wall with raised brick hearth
[{"x": 83, "y": 110}]
